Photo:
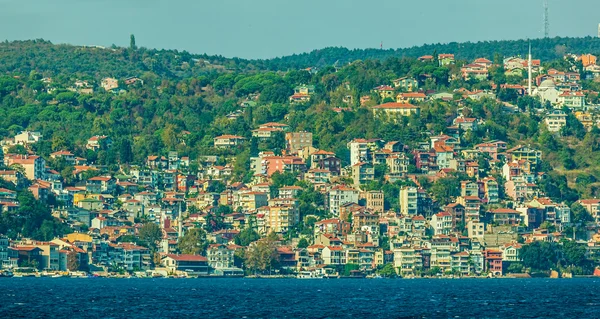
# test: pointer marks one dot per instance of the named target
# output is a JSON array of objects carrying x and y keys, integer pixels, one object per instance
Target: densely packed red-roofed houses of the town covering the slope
[{"x": 379, "y": 207}]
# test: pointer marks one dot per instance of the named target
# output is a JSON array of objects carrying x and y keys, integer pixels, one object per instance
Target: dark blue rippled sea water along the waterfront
[{"x": 291, "y": 298}]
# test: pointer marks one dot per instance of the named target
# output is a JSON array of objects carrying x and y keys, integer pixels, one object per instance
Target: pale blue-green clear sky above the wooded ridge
[{"x": 269, "y": 28}]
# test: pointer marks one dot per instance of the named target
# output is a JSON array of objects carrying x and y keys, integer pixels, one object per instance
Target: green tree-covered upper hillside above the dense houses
[{"x": 181, "y": 102}]
